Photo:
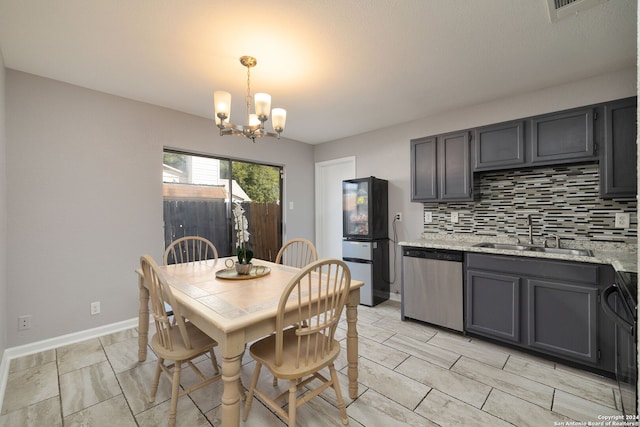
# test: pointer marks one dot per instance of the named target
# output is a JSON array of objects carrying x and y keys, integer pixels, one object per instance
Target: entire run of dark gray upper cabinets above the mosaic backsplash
[{"x": 442, "y": 166}]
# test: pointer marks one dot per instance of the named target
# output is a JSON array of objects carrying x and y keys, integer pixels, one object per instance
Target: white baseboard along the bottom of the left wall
[{"x": 36, "y": 347}]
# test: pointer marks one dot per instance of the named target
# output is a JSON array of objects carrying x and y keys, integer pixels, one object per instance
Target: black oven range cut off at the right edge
[{"x": 619, "y": 301}]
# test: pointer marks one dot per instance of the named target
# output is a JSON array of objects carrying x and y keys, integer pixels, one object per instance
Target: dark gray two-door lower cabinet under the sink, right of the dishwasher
[{"x": 545, "y": 306}]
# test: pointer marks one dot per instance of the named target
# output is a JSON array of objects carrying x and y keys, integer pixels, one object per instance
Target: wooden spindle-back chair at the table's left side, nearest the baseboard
[{"x": 176, "y": 340}]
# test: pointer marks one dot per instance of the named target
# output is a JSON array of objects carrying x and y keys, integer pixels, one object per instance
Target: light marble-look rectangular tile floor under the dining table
[{"x": 409, "y": 374}]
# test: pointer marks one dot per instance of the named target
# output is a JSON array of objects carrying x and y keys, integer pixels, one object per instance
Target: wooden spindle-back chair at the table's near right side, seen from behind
[{"x": 312, "y": 302}]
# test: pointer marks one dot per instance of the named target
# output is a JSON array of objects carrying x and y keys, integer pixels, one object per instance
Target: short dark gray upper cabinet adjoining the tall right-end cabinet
[{"x": 565, "y": 137}]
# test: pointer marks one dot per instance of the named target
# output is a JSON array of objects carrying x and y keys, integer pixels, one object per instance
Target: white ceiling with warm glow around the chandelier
[{"x": 340, "y": 68}]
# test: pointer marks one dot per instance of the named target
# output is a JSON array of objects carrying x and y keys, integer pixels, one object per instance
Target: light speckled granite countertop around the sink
[{"x": 623, "y": 257}]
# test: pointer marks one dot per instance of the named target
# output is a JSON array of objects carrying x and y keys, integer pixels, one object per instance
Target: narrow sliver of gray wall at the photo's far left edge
[{"x": 3, "y": 213}]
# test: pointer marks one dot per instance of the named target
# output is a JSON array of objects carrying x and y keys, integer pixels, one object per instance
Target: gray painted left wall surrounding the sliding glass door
[{"x": 84, "y": 198}]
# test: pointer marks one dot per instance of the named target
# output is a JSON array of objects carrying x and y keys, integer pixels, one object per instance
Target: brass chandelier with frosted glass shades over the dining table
[{"x": 254, "y": 127}]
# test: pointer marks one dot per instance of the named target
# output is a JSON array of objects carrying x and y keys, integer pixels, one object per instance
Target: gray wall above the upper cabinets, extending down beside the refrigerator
[{"x": 385, "y": 152}]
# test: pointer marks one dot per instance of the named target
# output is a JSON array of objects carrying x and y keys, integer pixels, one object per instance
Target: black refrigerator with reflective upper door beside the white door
[{"x": 365, "y": 246}]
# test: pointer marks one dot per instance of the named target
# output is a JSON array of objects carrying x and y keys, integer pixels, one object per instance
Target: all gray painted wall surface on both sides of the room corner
[{"x": 84, "y": 199}]
